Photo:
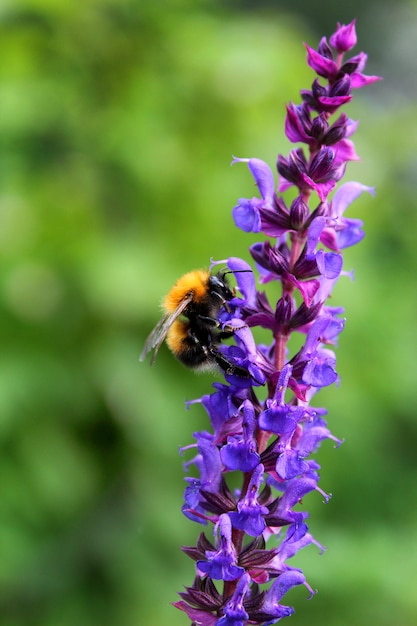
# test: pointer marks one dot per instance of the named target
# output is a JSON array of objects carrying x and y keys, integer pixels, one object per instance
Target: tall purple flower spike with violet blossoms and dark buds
[{"x": 270, "y": 441}]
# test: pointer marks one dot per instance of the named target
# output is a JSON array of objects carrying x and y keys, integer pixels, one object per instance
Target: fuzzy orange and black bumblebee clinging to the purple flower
[{"x": 191, "y": 323}]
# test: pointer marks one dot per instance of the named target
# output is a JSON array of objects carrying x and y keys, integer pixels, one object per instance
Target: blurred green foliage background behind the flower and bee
[{"x": 118, "y": 120}]
